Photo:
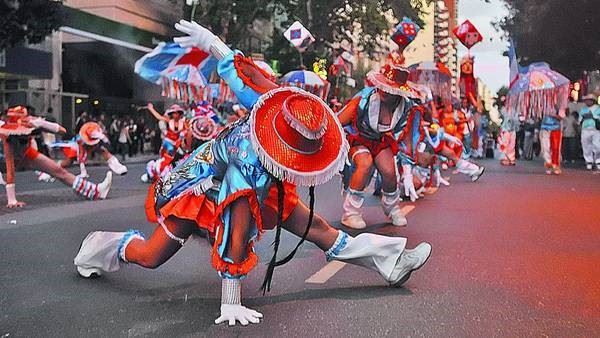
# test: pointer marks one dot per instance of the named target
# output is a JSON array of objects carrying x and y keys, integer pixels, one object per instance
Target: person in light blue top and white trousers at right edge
[{"x": 589, "y": 118}]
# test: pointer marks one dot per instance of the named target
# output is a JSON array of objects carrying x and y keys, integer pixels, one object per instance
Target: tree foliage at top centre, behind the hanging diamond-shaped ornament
[{"x": 328, "y": 20}]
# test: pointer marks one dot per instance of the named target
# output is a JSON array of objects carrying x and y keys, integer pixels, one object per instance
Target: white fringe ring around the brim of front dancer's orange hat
[{"x": 284, "y": 173}]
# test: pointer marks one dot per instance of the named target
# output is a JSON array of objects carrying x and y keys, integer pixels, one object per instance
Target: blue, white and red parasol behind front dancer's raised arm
[{"x": 182, "y": 72}]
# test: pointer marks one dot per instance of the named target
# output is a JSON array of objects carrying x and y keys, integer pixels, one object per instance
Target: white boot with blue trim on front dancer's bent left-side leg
[{"x": 102, "y": 251}]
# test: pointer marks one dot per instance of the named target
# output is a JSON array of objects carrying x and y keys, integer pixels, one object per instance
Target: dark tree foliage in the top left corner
[{"x": 27, "y": 21}]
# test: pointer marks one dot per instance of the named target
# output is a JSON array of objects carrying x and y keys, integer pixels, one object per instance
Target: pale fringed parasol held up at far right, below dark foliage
[{"x": 538, "y": 91}]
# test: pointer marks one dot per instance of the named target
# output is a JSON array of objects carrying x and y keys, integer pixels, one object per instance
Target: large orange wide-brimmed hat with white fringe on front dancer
[{"x": 297, "y": 137}]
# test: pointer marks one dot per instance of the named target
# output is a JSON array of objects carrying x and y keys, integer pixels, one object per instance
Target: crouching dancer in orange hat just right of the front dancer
[{"x": 376, "y": 114}]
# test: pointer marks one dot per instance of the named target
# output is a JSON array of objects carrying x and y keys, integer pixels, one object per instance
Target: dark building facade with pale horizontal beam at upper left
[{"x": 88, "y": 64}]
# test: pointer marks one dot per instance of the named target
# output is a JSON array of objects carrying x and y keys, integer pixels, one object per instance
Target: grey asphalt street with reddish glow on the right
[{"x": 515, "y": 254}]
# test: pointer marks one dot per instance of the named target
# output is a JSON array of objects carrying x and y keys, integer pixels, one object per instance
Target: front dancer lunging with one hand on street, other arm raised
[{"x": 290, "y": 137}]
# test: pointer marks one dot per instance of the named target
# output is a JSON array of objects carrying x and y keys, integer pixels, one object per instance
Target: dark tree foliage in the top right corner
[{"x": 565, "y": 34}]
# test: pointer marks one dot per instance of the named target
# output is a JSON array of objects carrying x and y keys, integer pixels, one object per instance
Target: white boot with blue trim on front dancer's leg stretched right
[{"x": 383, "y": 254}]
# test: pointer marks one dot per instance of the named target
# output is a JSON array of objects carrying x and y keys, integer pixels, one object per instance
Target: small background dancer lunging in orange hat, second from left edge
[{"x": 90, "y": 139}]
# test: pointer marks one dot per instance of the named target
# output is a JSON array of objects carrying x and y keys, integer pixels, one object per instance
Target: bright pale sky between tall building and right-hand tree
[{"x": 490, "y": 65}]
